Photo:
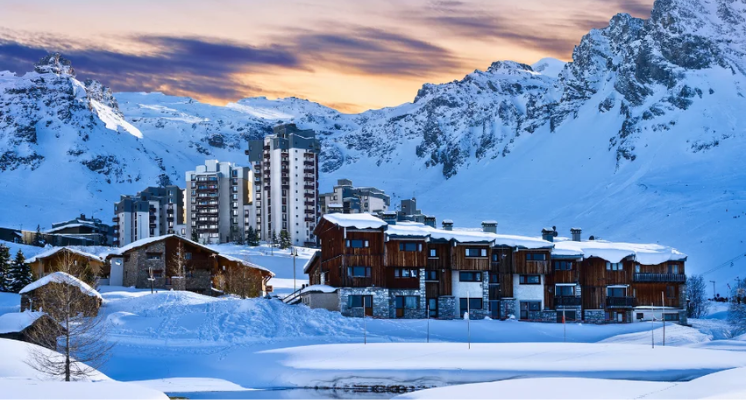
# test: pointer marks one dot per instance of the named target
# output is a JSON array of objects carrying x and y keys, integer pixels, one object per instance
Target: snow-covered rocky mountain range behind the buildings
[{"x": 640, "y": 137}]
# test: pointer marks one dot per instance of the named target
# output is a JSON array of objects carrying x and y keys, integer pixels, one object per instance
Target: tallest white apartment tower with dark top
[{"x": 286, "y": 165}]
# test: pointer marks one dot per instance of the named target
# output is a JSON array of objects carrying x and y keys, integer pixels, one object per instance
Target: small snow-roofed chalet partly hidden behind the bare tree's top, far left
[{"x": 53, "y": 259}]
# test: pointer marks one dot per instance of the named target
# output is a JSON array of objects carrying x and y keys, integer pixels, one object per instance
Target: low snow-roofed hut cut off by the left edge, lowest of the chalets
[{"x": 28, "y": 327}]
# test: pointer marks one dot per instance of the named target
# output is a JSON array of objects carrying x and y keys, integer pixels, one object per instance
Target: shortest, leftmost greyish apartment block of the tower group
[{"x": 152, "y": 212}]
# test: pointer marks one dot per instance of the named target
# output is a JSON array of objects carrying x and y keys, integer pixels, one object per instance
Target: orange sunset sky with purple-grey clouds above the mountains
[{"x": 348, "y": 55}]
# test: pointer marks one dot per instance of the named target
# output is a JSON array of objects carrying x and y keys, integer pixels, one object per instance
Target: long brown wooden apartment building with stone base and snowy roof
[{"x": 394, "y": 269}]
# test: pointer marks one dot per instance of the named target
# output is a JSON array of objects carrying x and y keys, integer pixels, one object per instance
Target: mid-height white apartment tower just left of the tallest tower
[{"x": 219, "y": 202}]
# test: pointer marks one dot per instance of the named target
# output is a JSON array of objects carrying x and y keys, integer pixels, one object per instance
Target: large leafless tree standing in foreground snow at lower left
[{"x": 74, "y": 326}]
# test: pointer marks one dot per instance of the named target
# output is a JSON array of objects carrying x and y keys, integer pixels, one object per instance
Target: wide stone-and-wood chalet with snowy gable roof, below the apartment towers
[{"x": 174, "y": 262}]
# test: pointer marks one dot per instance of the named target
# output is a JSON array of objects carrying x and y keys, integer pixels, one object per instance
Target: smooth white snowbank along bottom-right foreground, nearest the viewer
[{"x": 725, "y": 384}]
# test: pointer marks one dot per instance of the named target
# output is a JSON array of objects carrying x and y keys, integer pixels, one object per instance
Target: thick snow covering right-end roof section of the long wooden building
[{"x": 648, "y": 254}]
